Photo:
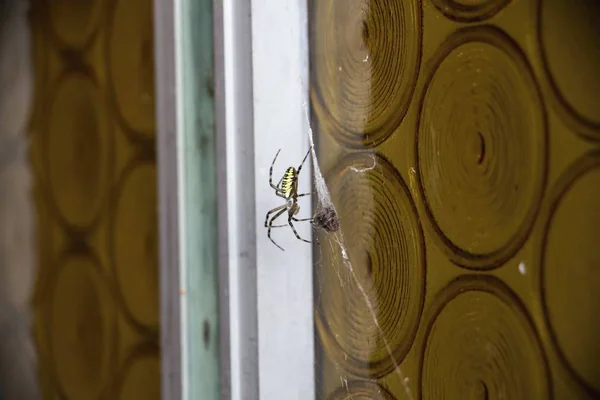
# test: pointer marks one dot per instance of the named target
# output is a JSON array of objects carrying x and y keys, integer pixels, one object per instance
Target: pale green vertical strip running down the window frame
[{"x": 200, "y": 209}]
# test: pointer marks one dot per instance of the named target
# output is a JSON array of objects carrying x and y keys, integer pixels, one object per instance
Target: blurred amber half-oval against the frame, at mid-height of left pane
[{"x": 135, "y": 244}]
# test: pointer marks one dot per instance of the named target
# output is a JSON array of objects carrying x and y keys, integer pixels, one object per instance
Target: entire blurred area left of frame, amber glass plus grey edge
[{"x": 78, "y": 206}]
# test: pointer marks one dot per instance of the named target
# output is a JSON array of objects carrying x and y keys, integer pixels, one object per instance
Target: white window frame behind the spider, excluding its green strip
[{"x": 265, "y": 295}]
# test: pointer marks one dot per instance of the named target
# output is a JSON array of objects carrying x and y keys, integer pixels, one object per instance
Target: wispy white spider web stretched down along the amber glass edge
[{"x": 335, "y": 240}]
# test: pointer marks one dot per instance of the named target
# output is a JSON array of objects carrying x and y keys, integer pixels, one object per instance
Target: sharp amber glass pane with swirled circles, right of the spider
[{"x": 466, "y": 261}]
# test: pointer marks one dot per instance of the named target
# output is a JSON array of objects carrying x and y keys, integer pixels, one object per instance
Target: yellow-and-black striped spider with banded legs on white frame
[{"x": 287, "y": 188}]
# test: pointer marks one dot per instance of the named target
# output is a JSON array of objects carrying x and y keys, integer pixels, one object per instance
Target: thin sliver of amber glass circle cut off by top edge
[{"x": 469, "y": 10}]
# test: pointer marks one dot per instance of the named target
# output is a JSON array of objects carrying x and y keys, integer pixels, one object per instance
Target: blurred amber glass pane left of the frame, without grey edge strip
[{"x": 93, "y": 142}]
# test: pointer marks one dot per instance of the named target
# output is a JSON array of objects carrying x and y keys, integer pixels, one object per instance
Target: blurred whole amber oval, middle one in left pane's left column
[{"x": 77, "y": 150}]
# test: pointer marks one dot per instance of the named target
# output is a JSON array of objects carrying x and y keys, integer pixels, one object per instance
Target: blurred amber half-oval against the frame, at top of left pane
[{"x": 131, "y": 56}]
